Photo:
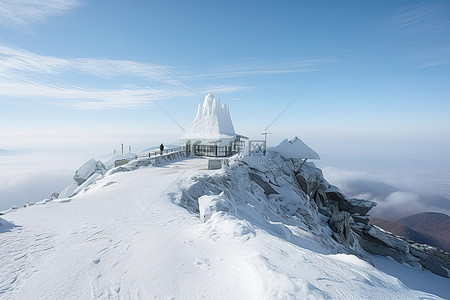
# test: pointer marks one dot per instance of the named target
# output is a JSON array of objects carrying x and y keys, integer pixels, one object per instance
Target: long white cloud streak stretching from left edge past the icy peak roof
[{"x": 27, "y": 75}]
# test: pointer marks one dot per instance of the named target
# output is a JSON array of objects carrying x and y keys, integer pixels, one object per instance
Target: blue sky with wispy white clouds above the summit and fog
[{"x": 371, "y": 77}]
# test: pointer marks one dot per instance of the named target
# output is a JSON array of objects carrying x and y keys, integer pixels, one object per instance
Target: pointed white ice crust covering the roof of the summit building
[{"x": 212, "y": 122}]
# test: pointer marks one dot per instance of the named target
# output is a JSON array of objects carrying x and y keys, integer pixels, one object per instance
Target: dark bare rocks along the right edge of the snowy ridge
[{"x": 349, "y": 222}]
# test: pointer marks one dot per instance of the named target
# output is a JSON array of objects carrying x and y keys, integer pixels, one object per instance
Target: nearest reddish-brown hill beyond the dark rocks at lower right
[{"x": 426, "y": 228}]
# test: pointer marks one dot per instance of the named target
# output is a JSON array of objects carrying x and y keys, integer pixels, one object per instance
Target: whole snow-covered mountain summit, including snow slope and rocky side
[{"x": 259, "y": 228}]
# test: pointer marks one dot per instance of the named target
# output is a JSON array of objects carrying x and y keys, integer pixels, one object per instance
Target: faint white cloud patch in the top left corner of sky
[{"x": 23, "y": 13}]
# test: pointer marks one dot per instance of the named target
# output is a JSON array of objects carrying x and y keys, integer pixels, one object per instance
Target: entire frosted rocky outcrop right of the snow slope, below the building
[{"x": 297, "y": 193}]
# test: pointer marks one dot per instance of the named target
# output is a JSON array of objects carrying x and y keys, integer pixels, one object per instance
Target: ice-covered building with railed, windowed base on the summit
[{"x": 211, "y": 133}]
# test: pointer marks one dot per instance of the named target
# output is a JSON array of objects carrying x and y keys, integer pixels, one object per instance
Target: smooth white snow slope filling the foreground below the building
[{"x": 128, "y": 236}]
